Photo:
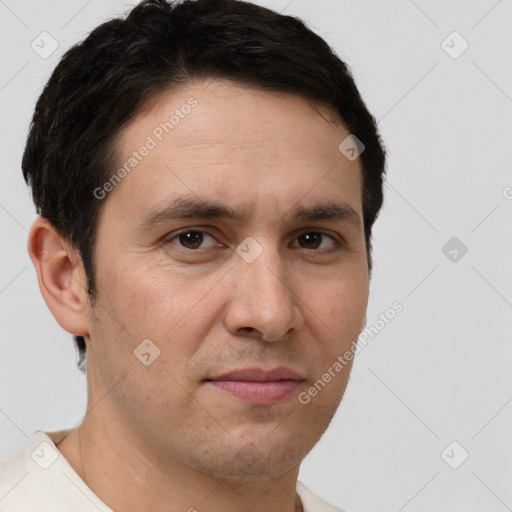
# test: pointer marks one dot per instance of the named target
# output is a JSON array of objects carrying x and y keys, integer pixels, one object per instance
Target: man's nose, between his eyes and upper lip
[{"x": 263, "y": 303}]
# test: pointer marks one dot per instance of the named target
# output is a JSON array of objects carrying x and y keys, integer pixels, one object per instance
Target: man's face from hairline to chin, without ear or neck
[{"x": 293, "y": 295}]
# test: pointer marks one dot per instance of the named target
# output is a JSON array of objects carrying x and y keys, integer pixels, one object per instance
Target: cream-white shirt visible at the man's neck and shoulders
[{"x": 40, "y": 479}]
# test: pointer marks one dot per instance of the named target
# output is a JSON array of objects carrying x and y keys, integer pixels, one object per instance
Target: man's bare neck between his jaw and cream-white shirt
[{"x": 128, "y": 474}]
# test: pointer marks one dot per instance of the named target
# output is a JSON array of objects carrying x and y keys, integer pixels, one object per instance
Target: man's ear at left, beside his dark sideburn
[{"x": 61, "y": 276}]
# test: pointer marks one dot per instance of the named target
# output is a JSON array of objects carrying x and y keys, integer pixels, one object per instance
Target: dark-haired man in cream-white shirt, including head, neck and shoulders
[{"x": 206, "y": 177}]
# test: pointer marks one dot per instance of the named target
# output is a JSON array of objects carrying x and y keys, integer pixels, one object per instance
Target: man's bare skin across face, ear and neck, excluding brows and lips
[{"x": 158, "y": 435}]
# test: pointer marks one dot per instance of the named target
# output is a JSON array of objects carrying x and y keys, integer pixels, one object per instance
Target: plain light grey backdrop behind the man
[{"x": 440, "y": 371}]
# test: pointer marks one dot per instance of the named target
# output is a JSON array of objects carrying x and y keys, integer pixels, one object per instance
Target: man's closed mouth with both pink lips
[{"x": 258, "y": 386}]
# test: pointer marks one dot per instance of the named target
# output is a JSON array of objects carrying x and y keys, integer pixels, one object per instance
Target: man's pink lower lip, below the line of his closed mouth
[{"x": 261, "y": 393}]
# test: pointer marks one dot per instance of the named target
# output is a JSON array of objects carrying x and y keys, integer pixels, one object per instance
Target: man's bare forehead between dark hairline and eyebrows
[{"x": 215, "y": 138}]
